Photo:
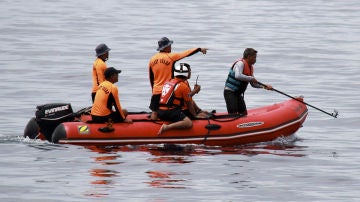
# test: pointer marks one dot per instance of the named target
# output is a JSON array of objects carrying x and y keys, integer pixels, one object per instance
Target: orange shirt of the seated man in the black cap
[{"x": 106, "y": 97}]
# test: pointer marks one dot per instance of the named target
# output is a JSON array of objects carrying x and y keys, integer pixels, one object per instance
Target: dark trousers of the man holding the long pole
[{"x": 235, "y": 103}]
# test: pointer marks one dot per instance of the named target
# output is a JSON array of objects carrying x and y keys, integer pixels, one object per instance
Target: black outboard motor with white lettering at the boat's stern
[{"x": 49, "y": 116}]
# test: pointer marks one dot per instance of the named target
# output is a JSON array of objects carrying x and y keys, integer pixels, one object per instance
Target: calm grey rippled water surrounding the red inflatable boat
[{"x": 308, "y": 48}]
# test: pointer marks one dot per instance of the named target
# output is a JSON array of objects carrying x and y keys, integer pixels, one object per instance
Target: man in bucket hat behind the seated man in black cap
[{"x": 99, "y": 67}]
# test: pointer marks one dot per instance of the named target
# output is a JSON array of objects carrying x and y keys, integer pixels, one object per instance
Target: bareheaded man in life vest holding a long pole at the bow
[{"x": 240, "y": 75}]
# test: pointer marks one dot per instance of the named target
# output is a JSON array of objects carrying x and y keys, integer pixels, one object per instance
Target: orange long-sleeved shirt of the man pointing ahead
[{"x": 160, "y": 67}]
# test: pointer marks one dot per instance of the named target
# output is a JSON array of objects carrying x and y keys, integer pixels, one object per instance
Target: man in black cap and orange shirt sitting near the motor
[{"x": 106, "y": 98}]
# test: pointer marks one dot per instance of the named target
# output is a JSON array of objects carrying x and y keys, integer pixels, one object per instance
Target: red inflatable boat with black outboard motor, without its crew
[{"x": 57, "y": 123}]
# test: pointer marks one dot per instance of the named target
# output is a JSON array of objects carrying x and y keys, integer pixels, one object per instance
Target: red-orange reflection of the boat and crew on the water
[{"x": 108, "y": 175}]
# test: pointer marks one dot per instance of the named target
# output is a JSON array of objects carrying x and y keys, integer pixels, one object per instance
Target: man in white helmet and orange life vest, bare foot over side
[{"x": 176, "y": 103}]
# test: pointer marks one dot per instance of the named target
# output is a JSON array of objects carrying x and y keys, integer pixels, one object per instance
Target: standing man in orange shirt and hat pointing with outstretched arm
[{"x": 160, "y": 69}]
